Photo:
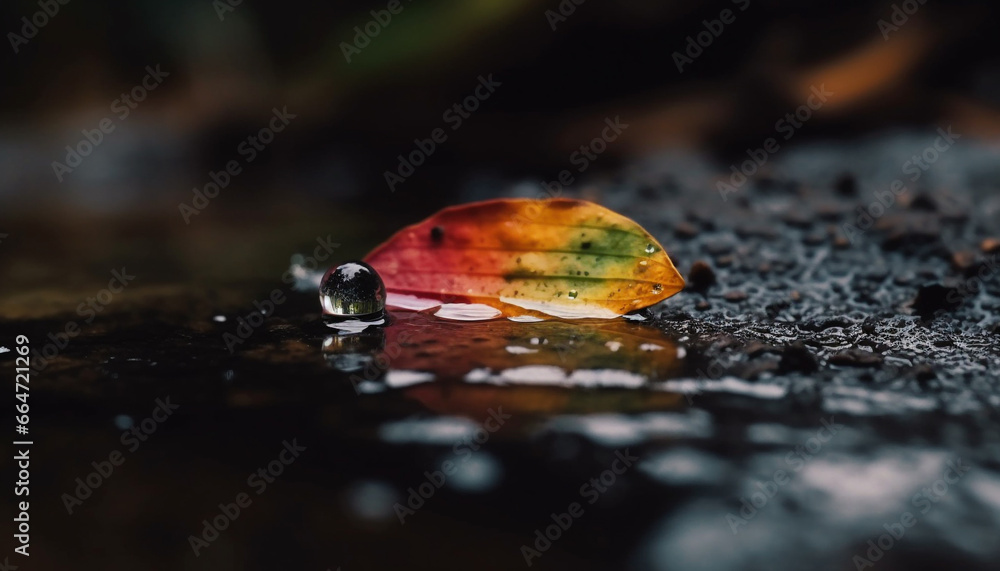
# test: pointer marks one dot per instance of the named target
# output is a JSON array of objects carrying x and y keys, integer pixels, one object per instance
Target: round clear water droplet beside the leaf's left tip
[{"x": 352, "y": 289}]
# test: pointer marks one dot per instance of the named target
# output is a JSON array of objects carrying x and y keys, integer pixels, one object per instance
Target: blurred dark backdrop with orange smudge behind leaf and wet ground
[{"x": 229, "y": 66}]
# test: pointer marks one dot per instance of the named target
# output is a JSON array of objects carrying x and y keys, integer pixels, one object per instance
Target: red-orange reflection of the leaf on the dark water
[{"x": 462, "y": 367}]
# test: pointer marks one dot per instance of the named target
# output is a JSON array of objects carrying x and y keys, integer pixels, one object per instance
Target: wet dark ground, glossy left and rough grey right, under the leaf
[{"x": 814, "y": 389}]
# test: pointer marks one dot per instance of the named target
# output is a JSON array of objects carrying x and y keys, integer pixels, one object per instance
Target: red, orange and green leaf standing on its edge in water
[{"x": 561, "y": 257}]
